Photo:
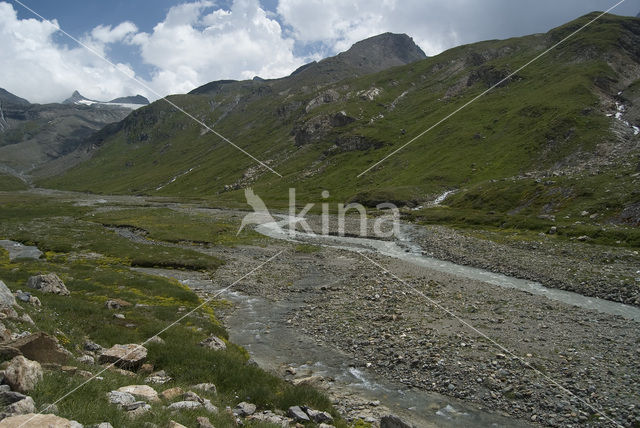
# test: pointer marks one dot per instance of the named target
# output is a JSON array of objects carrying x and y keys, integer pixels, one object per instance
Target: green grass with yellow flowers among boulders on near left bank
[{"x": 92, "y": 279}]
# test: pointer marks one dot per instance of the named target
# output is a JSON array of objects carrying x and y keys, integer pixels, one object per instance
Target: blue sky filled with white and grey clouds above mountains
[{"x": 161, "y": 47}]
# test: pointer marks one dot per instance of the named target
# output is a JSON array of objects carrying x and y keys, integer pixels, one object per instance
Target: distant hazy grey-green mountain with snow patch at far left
[{"x": 45, "y": 139}]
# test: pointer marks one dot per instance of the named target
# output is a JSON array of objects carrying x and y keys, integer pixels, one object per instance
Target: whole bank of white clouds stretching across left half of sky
[{"x": 193, "y": 45}]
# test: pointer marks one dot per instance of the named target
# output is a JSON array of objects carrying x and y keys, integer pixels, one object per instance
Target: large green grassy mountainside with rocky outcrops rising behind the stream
[{"x": 558, "y": 138}]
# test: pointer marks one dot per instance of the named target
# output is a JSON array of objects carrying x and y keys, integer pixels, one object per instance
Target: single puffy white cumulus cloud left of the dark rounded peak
[{"x": 195, "y": 45}]
